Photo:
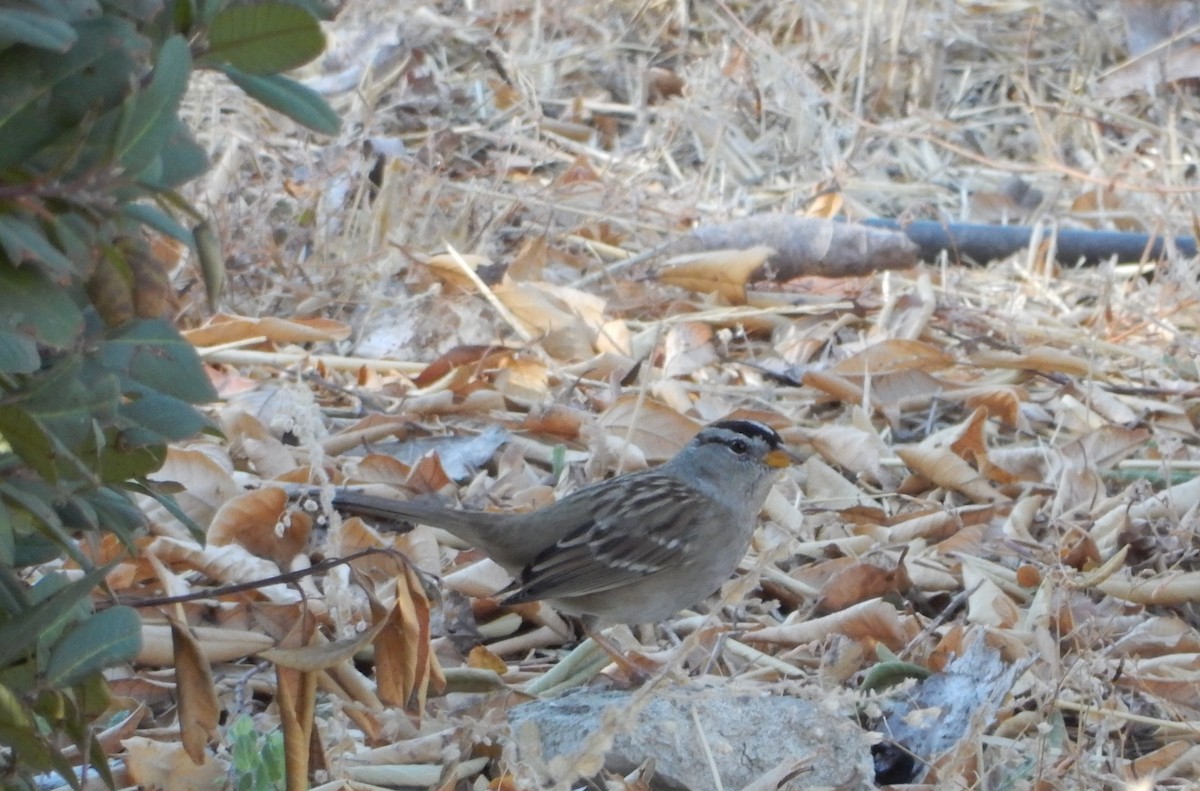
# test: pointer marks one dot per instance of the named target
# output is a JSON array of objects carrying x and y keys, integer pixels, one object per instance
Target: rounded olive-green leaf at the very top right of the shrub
[{"x": 265, "y": 39}]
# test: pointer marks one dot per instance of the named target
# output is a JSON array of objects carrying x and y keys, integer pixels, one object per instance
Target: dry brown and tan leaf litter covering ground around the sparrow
[{"x": 1000, "y": 456}]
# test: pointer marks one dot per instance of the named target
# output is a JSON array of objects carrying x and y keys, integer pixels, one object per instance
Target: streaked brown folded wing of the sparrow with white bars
[{"x": 604, "y": 555}]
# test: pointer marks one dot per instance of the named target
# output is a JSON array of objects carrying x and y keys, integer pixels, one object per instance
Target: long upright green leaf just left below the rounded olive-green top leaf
[{"x": 152, "y": 122}]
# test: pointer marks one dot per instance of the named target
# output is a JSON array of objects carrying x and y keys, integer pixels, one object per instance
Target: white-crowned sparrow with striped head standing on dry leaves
[{"x": 633, "y": 549}]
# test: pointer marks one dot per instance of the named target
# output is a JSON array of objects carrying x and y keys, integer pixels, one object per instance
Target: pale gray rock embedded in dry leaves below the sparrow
[{"x": 692, "y": 733}]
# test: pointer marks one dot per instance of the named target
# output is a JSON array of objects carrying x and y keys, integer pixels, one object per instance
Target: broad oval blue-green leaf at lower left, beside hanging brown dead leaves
[{"x": 100, "y": 642}]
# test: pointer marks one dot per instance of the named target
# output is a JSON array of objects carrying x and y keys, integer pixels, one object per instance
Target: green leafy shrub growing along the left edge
[{"x": 94, "y": 381}]
